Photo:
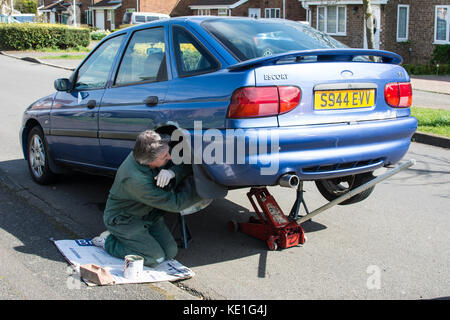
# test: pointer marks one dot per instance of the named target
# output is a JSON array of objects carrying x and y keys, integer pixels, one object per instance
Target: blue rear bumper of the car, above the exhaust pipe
[{"x": 311, "y": 152}]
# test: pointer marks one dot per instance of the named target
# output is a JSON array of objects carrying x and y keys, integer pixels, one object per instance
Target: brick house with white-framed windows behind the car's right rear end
[{"x": 410, "y": 28}]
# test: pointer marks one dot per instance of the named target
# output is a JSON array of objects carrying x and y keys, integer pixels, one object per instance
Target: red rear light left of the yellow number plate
[{"x": 251, "y": 102}]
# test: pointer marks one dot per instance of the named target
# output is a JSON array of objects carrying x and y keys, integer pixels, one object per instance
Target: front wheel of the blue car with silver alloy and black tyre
[{"x": 38, "y": 157}]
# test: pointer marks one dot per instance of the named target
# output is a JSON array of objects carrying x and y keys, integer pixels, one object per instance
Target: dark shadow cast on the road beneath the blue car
[{"x": 80, "y": 199}]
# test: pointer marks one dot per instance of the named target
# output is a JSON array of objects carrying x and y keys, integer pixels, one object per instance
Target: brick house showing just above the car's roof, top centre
[{"x": 285, "y": 9}]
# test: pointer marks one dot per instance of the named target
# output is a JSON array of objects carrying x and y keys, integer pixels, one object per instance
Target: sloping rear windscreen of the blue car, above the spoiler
[{"x": 249, "y": 38}]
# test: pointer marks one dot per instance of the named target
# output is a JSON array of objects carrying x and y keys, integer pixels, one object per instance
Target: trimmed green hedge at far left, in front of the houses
[{"x": 25, "y": 36}]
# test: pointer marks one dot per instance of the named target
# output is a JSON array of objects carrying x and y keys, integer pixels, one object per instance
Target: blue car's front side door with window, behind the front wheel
[{"x": 74, "y": 115}]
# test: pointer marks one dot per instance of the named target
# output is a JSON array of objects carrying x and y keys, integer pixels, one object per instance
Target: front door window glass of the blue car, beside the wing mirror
[{"x": 95, "y": 70}]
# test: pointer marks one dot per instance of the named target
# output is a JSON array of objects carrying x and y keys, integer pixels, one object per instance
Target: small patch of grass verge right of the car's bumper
[{"x": 434, "y": 121}]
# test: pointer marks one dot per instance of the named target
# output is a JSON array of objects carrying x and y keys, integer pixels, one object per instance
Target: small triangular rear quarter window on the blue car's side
[{"x": 191, "y": 57}]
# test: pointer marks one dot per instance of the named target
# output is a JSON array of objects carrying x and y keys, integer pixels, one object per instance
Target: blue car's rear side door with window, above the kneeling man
[{"x": 132, "y": 103}]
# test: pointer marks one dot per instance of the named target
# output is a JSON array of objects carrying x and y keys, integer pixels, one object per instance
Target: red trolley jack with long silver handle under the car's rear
[{"x": 283, "y": 231}]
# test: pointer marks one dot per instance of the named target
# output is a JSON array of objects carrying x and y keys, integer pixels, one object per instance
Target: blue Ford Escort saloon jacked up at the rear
[{"x": 306, "y": 107}]
